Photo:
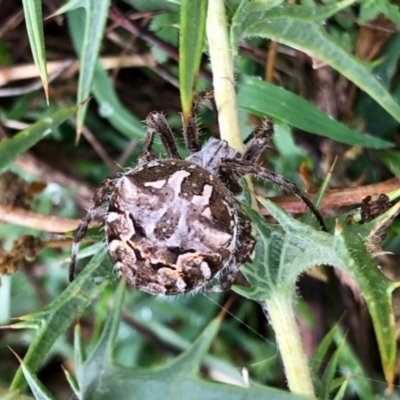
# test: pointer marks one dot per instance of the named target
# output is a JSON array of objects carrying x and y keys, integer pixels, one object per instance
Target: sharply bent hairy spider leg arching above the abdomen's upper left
[{"x": 156, "y": 122}]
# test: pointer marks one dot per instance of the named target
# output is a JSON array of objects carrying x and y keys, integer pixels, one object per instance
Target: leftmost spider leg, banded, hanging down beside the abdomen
[{"x": 98, "y": 199}]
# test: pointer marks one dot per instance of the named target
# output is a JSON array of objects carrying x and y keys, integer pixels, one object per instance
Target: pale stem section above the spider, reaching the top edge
[{"x": 223, "y": 76}]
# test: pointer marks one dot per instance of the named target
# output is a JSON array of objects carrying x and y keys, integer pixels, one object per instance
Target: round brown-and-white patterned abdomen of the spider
[{"x": 171, "y": 226}]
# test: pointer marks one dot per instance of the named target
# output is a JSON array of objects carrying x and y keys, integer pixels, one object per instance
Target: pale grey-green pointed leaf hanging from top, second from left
[{"x": 96, "y": 13}]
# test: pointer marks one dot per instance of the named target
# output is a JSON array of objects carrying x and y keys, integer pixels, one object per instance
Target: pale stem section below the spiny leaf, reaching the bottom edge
[{"x": 280, "y": 309}]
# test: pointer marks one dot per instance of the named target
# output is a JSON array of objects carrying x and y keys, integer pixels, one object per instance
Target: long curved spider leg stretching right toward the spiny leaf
[{"x": 243, "y": 167}]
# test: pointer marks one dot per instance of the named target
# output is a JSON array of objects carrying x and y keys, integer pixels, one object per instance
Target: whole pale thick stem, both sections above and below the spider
[{"x": 281, "y": 307}]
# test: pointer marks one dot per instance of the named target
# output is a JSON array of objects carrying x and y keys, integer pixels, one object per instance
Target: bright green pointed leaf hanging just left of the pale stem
[{"x": 193, "y": 22}]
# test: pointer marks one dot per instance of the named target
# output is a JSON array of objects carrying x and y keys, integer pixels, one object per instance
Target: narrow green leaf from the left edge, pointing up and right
[{"x": 10, "y": 149}]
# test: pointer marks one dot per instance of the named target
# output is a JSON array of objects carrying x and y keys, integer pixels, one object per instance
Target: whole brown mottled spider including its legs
[{"x": 173, "y": 225}]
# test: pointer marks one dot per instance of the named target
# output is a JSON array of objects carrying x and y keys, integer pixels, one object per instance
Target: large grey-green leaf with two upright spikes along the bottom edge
[{"x": 101, "y": 378}]
